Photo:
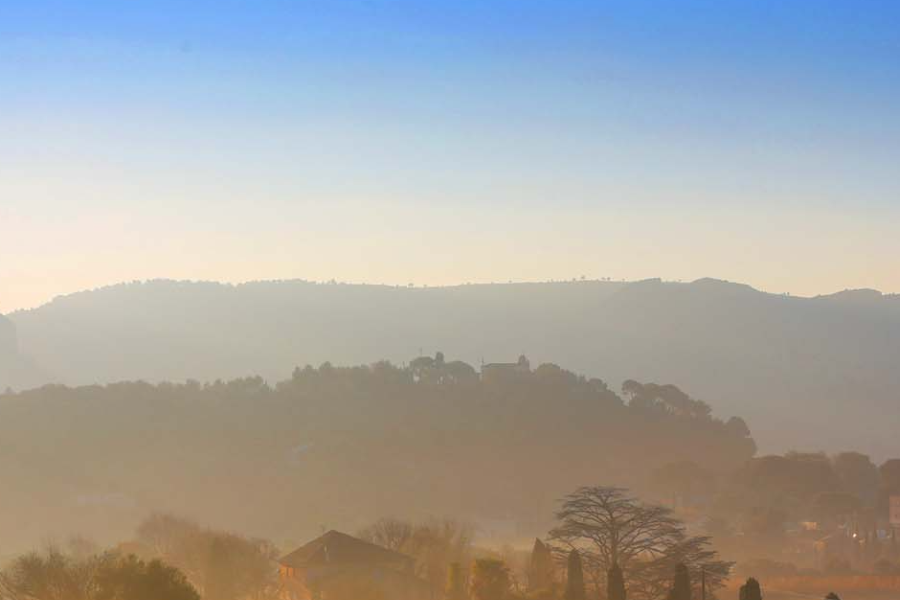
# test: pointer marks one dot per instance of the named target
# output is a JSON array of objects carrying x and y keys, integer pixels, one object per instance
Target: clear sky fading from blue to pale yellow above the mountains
[{"x": 437, "y": 142}]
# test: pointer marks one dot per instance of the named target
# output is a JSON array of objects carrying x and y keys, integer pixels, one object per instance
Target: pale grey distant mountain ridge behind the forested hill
[{"x": 808, "y": 373}]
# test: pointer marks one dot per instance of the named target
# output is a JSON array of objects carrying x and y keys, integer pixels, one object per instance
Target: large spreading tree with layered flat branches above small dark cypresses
[{"x": 610, "y": 527}]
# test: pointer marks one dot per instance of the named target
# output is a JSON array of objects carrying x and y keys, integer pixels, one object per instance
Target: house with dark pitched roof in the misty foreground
[{"x": 337, "y": 566}]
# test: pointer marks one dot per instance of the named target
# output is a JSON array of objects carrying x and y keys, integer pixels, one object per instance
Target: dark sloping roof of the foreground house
[{"x": 335, "y": 547}]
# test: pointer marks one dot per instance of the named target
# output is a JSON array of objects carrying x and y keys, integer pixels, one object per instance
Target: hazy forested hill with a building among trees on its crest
[{"x": 339, "y": 447}]
